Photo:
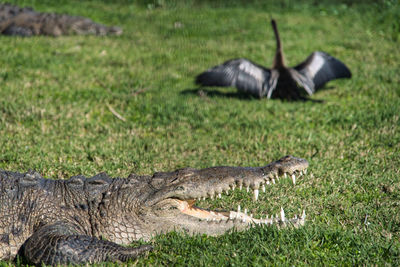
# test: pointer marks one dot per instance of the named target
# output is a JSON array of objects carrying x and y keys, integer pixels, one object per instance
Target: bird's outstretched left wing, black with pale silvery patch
[{"x": 240, "y": 73}]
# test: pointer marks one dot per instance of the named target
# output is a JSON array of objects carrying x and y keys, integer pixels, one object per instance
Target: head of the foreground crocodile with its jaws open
[{"x": 172, "y": 205}]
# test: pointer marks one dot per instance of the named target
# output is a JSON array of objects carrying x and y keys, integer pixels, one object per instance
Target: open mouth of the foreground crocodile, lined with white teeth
[{"x": 187, "y": 206}]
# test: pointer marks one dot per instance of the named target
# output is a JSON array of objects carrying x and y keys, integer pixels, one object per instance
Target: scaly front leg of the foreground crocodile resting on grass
[{"x": 59, "y": 243}]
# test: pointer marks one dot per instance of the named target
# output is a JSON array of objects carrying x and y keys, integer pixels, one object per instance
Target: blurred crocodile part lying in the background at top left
[{"x": 25, "y": 21}]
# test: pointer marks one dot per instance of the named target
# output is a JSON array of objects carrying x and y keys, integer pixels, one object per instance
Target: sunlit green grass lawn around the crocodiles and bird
[{"x": 56, "y": 97}]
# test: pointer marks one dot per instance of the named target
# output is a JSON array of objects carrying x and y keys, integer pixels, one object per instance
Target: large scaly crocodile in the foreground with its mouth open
[{"x": 89, "y": 220}]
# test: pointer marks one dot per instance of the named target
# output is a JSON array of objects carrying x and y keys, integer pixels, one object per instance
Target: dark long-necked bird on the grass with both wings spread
[{"x": 279, "y": 81}]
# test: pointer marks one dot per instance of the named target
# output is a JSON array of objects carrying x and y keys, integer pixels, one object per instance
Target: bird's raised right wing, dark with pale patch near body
[{"x": 320, "y": 67}]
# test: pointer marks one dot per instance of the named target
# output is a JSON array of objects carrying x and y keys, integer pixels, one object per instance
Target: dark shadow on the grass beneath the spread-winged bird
[{"x": 204, "y": 93}]
